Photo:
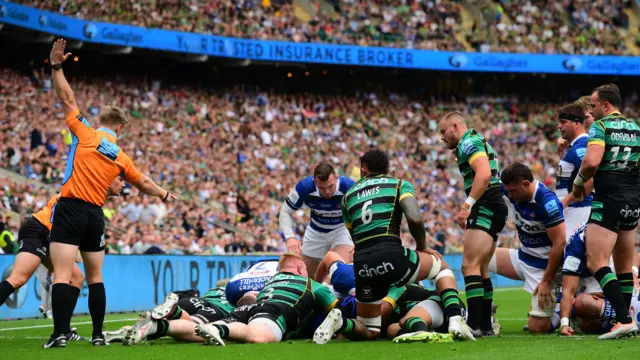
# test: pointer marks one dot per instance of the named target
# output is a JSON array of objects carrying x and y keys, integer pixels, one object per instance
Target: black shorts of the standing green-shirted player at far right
[{"x": 615, "y": 212}]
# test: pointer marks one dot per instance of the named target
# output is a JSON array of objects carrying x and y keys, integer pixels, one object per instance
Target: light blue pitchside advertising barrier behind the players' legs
[{"x": 139, "y": 282}]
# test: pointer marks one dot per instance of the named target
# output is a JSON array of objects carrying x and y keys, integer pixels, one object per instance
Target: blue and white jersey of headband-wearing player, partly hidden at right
[{"x": 568, "y": 170}]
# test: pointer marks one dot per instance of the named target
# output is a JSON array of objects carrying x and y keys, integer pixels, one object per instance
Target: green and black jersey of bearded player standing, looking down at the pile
[{"x": 471, "y": 147}]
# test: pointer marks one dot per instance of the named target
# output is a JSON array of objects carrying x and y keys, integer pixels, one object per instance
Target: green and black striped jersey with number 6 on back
[{"x": 371, "y": 208}]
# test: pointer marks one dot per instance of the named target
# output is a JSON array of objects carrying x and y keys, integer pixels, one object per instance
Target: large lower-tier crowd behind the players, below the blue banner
[{"x": 233, "y": 156}]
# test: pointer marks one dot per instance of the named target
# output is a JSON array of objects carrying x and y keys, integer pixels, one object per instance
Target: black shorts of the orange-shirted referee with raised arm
[{"x": 78, "y": 223}]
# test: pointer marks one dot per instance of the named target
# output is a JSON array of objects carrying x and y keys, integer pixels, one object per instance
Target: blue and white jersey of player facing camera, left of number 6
[{"x": 326, "y": 214}]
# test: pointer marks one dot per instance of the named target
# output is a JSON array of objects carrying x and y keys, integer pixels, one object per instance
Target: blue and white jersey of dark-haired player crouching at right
[{"x": 533, "y": 218}]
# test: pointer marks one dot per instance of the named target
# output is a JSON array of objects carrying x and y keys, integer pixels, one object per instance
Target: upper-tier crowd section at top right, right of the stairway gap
[{"x": 584, "y": 27}]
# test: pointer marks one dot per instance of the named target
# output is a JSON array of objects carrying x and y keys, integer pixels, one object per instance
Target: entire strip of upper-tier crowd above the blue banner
[{"x": 523, "y": 26}]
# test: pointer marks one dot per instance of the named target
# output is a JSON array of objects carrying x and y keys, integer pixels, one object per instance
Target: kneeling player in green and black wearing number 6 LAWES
[{"x": 372, "y": 211}]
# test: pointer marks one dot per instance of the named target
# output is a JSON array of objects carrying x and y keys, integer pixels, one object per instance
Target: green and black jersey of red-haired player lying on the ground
[{"x": 299, "y": 292}]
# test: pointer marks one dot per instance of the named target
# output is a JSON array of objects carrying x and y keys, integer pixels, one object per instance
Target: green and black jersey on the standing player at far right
[{"x": 618, "y": 170}]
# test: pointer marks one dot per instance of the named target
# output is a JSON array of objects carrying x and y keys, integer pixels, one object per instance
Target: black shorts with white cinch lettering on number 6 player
[{"x": 380, "y": 266}]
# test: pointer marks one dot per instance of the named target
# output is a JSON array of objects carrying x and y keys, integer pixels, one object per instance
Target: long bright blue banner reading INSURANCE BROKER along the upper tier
[{"x": 166, "y": 40}]
